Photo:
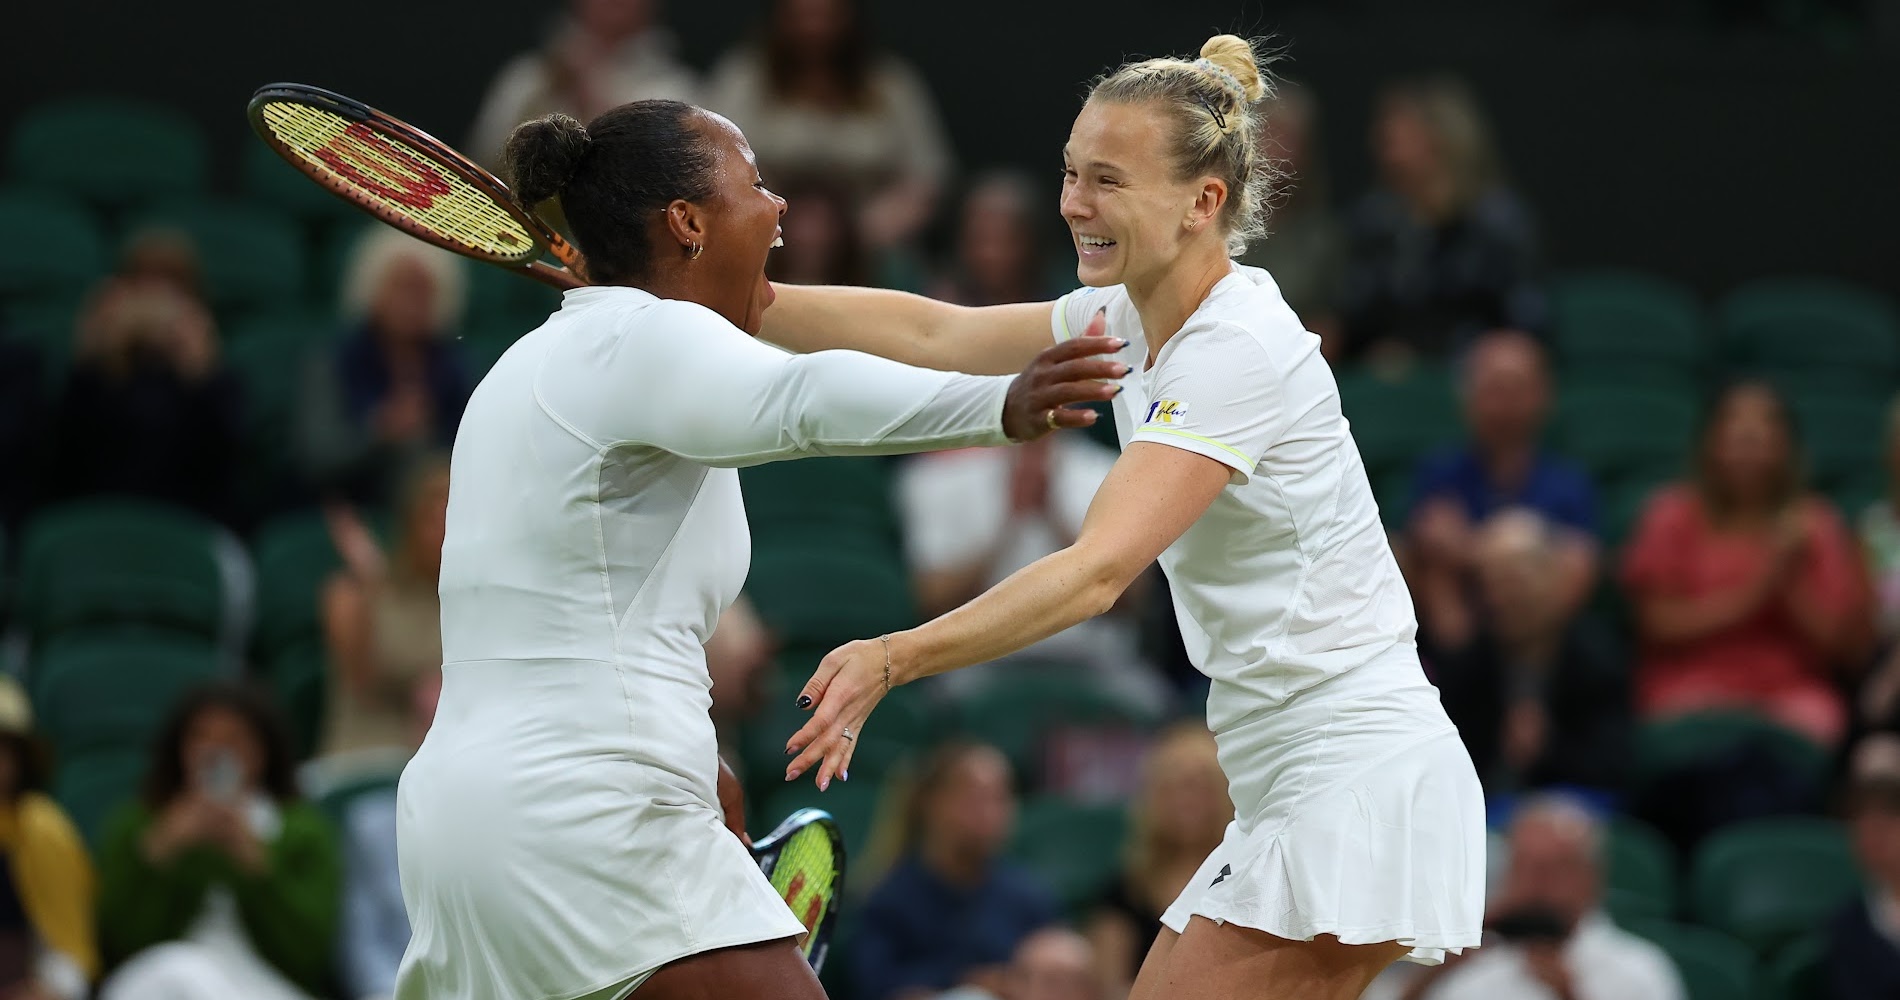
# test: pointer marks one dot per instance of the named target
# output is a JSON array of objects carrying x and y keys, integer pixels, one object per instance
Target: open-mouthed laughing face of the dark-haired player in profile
[{"x": 742, "y": 227}]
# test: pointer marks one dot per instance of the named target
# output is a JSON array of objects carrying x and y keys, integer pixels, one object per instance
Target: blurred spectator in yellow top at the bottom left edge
[{"x": 48, "y": 948}]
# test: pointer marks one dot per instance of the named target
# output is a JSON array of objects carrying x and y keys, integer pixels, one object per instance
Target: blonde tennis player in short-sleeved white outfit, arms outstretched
[{"x": 1359, "y": 834}]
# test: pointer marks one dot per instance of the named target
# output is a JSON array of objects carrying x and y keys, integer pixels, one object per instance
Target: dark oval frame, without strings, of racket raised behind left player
[{"x": 442, "y": 155}]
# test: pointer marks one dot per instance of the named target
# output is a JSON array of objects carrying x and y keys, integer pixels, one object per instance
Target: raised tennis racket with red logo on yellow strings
[{"x": 409, "y": 180}]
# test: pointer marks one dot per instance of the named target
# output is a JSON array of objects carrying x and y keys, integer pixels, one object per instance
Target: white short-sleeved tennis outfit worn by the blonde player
[{"x": 1358, "y": 811}]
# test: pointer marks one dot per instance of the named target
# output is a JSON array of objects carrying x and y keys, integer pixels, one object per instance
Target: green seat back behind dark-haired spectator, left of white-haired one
[{"x": 254, "y": 258}]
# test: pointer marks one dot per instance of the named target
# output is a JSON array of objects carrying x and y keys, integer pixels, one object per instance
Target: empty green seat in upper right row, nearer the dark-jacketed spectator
[{"x": 1635, "y": 328}]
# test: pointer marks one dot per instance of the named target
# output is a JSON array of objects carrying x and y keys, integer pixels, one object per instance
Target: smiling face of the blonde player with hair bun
[{"x": 1126, "y": 208}]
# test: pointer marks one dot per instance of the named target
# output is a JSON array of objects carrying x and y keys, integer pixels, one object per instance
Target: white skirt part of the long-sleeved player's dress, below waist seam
[{"x": 560, "y": 836}]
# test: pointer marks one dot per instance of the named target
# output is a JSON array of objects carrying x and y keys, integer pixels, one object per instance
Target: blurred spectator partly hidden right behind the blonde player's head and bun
[{"x": 1306, "y": 244}]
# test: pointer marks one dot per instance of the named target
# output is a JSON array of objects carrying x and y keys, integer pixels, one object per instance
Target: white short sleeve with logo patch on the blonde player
[{"x": 1217, "y": 394}]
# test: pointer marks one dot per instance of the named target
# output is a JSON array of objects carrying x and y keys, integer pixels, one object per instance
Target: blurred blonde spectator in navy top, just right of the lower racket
[{"x": 951, "y": 912}]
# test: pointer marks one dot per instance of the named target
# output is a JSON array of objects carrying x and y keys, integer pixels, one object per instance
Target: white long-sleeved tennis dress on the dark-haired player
[{"x": 560, "y": 830}]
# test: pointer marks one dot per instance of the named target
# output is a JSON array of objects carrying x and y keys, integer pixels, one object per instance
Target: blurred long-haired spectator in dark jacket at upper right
[{"x": 1443, "y": 250}]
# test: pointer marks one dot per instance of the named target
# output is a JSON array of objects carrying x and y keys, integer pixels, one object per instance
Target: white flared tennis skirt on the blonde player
[{"x": 1358, "y": 815}]
